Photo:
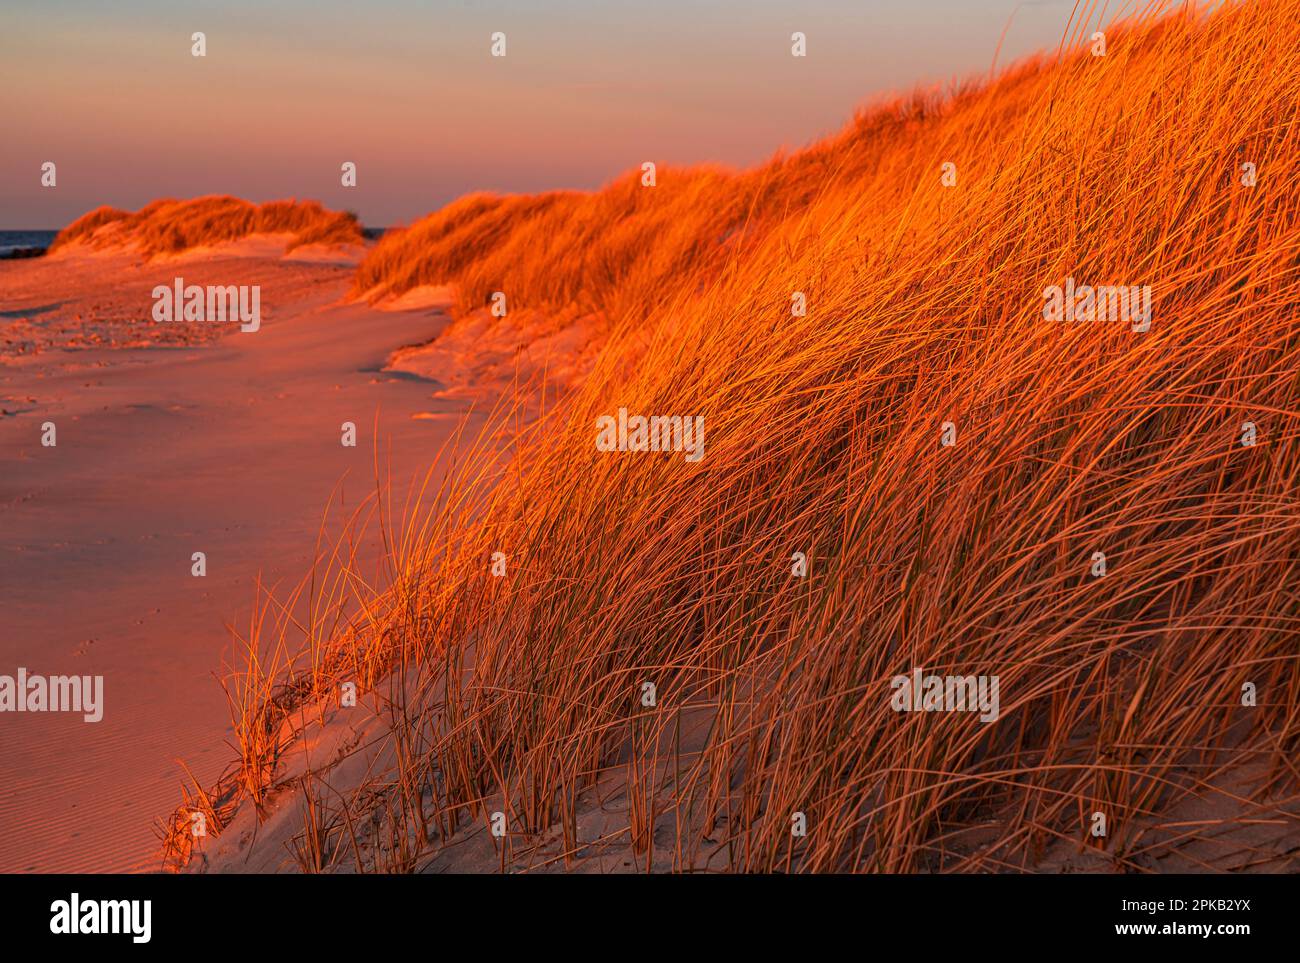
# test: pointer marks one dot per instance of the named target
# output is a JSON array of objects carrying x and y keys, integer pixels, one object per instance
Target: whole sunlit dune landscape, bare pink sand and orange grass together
[{"x": 612, "y": 658}]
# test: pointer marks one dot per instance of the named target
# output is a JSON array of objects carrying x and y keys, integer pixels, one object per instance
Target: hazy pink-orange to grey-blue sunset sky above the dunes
[{"x": 410, "y": 93}]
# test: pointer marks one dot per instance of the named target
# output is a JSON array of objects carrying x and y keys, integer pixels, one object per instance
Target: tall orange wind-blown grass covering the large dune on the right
[{"x": 1120, "y": 695}]
